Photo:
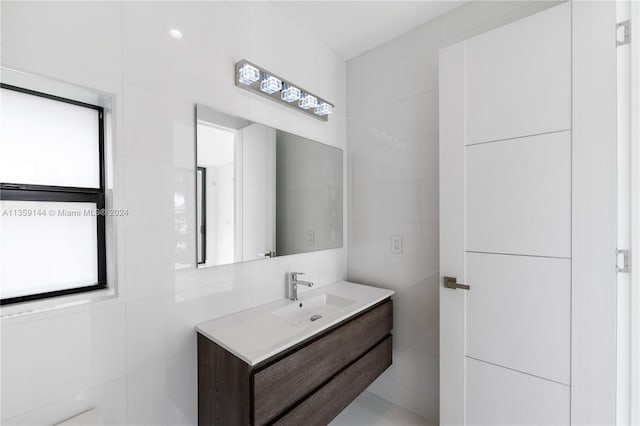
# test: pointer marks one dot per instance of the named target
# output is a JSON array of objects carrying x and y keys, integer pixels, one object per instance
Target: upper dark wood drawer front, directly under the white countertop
[{"x": 281, "y": 384}]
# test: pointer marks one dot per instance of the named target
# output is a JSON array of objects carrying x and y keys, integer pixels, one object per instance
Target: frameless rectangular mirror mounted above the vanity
[{"x": 262, "y": 192}]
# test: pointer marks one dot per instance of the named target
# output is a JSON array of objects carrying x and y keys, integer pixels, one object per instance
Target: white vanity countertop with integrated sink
[{"x": 256, "y": 334}]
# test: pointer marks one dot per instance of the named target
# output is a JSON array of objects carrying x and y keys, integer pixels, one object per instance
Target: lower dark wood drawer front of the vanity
[{"x": 325, "y": 404}]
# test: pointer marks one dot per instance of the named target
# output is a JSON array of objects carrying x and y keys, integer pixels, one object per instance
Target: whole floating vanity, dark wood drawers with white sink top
[{"x": 294, "y": 362}]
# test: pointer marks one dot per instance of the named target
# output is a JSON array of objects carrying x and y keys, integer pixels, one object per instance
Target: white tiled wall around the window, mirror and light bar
[{"x": 133, "y": 357}]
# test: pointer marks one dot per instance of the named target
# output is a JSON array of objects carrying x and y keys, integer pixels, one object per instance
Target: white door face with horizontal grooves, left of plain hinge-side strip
[{"x": 505, "y": 218}]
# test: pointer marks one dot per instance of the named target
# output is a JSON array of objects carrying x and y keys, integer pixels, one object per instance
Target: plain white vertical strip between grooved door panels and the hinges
[{"x": 594, "y": 217}]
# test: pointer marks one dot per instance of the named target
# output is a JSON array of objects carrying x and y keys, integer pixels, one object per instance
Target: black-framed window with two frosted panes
[{"x": 52, "y": 196}]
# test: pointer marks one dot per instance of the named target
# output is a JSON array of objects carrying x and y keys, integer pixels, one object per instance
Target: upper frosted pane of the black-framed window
[{"x": 47, "y": 142}]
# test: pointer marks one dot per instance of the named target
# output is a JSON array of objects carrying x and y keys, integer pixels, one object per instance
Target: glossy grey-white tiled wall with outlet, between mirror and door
[{"x": 393, "y": 187}]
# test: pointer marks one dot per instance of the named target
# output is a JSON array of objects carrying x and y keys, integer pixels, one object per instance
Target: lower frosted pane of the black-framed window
[{"x": 46, "y": 253}]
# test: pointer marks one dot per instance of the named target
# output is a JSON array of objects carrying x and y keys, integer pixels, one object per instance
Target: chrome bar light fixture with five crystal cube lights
[{"x": 278, "y": 89}]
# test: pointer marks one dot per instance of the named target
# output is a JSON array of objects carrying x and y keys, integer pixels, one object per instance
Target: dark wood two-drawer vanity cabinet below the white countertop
[{"x": 308, "y": 384}]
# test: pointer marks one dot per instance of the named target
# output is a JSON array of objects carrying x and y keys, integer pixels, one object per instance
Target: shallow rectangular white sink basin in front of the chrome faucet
[{"x": 312, "y": 309}]
